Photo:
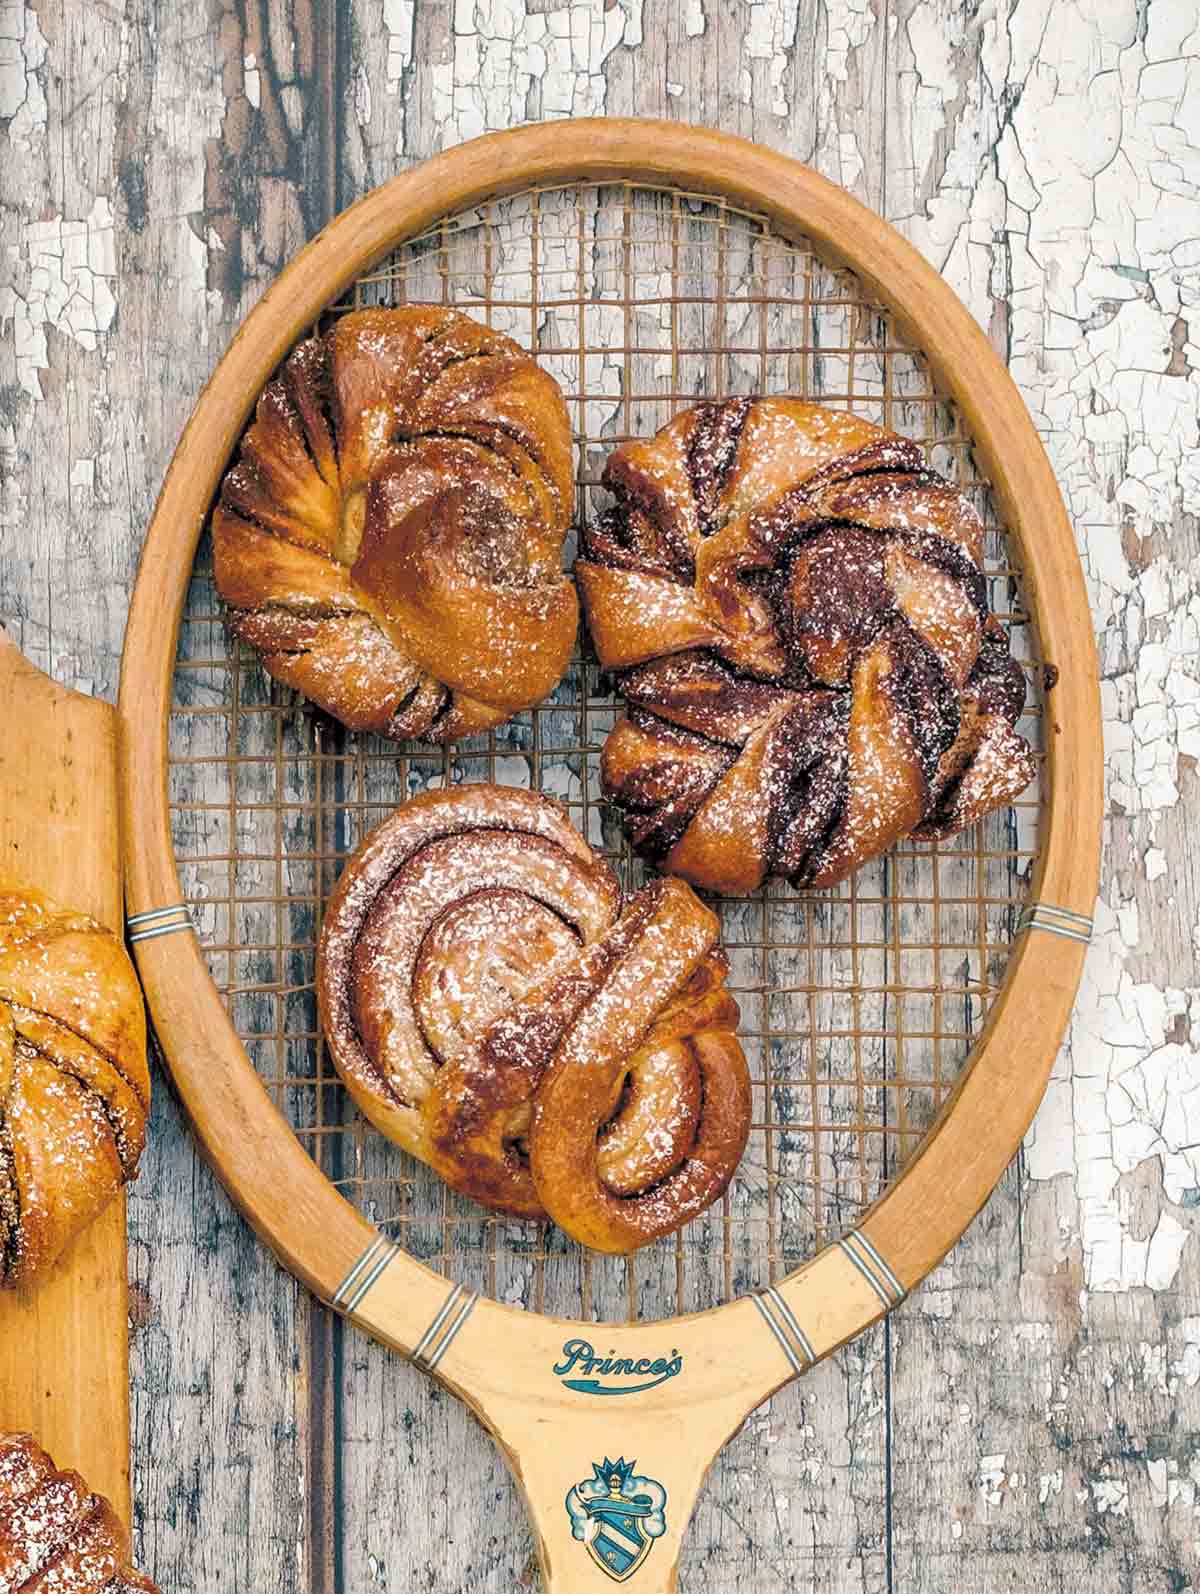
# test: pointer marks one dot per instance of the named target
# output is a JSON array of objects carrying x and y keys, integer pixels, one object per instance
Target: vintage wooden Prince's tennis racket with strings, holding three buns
[{"x": 900, "y": 1029}]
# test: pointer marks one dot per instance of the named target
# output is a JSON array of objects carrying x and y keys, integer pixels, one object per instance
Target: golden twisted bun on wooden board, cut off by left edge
[{"x": 74, "y": 1082}]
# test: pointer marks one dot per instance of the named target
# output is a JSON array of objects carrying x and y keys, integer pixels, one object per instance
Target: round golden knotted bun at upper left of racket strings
[{"x": 391, "y": 536}]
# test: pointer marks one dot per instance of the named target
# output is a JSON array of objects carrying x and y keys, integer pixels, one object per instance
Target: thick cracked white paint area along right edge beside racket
[{"x": 1099, "y": 283}]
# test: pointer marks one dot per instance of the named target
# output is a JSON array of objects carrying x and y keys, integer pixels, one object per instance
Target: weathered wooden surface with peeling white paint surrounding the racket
[{"x": 1030, "y": 1419}]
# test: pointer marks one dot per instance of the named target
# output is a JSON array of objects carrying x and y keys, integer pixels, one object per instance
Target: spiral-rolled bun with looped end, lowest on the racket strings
[{"x": 496, "y": 1010}]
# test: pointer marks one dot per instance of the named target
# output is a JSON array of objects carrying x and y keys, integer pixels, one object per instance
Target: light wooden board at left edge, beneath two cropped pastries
[{"x": 65, "y": 1346}]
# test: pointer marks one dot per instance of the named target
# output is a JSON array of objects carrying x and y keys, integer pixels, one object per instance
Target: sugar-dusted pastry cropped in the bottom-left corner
[{"x": 58, "y": 1537}]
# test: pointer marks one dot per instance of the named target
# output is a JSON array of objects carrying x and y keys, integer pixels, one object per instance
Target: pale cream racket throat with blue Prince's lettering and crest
[{"x": 610, "y": 1429}]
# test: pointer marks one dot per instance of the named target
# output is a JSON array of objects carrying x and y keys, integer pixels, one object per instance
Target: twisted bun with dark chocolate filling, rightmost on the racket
[{"x": 801, "y": 619}]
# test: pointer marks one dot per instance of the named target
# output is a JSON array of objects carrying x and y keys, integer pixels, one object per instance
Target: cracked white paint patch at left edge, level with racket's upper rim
[{"x": 65, "y": 278}]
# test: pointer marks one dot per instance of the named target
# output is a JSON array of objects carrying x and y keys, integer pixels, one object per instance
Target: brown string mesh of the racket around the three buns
[{"x": 858, "y": 1005}]
